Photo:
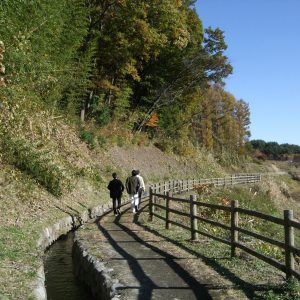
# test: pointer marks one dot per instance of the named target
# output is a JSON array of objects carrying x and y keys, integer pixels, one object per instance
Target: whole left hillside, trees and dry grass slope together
[{"x": 90, "y": 87}]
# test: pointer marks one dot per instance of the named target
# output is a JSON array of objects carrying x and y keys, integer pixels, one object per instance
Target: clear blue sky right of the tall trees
[{"x": 263, "y": 38}]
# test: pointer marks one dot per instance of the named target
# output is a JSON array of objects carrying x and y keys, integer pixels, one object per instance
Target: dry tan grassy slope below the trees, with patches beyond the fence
[{"x": 58, "y": 174}]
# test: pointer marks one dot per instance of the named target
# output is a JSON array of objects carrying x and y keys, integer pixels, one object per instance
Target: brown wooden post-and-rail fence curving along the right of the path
[{"x": 166, "y": 190}]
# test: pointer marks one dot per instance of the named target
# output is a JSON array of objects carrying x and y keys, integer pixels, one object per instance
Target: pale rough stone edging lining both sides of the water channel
[{"x": 52, "y": 233}]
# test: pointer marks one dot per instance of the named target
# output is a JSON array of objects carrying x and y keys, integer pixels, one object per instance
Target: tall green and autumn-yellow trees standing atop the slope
[{"x": 125, "y": 63}]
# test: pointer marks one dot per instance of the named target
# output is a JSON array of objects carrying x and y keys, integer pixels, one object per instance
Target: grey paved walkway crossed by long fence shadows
[{"x": 149, "y": 267}]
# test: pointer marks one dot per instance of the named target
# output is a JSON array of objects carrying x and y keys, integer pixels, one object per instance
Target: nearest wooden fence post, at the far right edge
[{"x": 289, "y": 241}]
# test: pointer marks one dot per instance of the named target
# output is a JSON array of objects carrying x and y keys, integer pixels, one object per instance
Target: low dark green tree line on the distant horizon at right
[{"x": 273, "y": 150}]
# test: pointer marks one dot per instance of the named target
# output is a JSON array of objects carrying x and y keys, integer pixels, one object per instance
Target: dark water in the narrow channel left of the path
[{"x": 61, "y": 282}]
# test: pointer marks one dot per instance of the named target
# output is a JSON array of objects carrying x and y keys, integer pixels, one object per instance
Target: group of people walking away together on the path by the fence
[{"x": 135, "y": 187}]
